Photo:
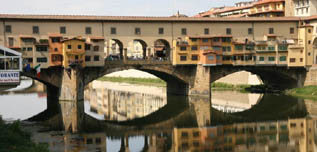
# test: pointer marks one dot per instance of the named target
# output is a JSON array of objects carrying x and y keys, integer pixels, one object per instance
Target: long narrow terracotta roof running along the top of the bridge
[{"x": 142, "y": 18}]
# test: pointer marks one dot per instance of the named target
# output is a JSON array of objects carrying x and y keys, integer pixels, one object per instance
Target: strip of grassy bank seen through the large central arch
[{"x": 141, "y": 81}]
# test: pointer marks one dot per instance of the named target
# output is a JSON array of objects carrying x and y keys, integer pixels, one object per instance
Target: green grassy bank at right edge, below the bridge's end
[{"x": 308, "y": 92}]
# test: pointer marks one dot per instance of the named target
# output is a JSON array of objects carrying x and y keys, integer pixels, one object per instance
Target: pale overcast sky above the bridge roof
[{"x": 111, "y": 7}]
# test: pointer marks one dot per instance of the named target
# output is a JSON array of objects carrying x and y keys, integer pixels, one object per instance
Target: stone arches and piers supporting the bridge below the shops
[{"x": 184, "y": 80}]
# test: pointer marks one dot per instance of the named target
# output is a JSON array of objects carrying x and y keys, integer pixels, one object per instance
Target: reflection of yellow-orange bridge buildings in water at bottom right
[{"x": 295, "y": 135}]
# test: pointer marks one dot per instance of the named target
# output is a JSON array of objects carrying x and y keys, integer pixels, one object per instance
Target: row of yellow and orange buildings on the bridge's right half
[{"x": 272, "y": 49}]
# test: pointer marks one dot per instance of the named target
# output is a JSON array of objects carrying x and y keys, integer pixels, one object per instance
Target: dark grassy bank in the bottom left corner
[{"x": 14, "y": 139}]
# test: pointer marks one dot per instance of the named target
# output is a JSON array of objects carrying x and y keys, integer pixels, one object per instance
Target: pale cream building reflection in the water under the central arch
[{"x": 121, "y": 105}]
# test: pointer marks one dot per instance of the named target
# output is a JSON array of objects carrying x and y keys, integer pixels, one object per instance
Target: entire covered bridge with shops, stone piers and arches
[{"x": 188, "y": 53}]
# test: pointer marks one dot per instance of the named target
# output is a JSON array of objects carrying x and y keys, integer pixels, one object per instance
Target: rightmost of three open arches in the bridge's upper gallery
[{"x": 162, "y": 49}]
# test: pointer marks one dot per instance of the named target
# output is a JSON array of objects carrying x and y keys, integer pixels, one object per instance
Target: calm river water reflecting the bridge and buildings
[{"x": 125, "y": 117}]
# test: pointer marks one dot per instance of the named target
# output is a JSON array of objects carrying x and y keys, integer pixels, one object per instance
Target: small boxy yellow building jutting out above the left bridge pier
[{"x": 73, "y": 52}]
